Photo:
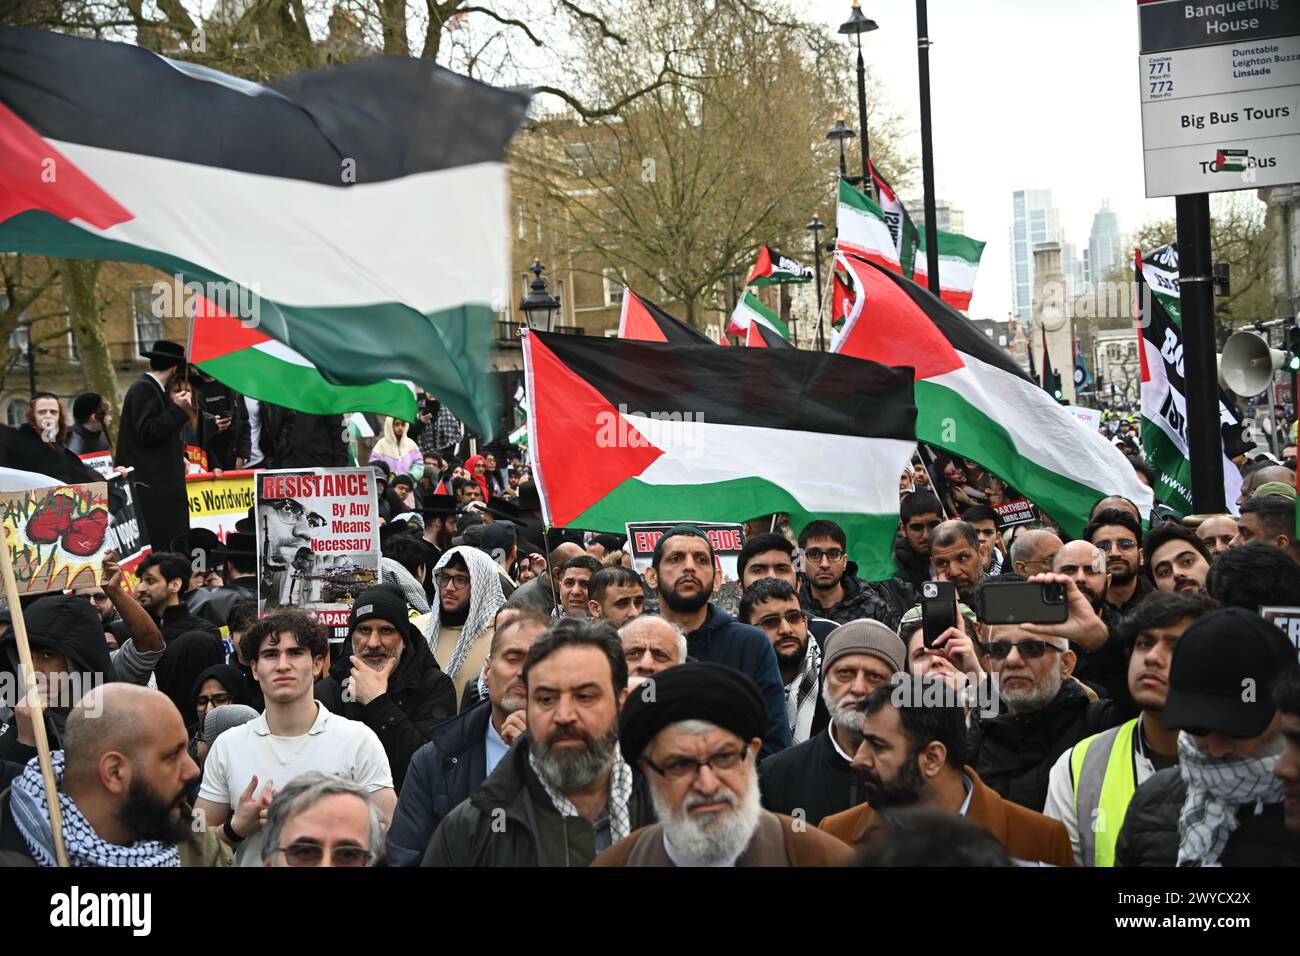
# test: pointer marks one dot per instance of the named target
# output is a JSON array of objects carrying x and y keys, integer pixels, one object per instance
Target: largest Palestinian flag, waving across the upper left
[{"x": 357, "y": 214}]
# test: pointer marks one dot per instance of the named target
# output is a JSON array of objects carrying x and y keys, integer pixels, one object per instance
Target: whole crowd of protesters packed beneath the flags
[{"x": 514, "y": 695}]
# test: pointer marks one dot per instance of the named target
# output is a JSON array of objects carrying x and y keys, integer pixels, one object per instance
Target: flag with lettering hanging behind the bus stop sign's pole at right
[{"x": 1164, "y": 403}]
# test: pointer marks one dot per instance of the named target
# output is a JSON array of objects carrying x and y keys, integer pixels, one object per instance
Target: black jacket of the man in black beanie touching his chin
[{"x": 419, "y": 698}]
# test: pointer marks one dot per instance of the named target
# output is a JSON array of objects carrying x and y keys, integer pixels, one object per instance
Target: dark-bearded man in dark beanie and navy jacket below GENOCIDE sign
[{"x": 683, "y": 574}]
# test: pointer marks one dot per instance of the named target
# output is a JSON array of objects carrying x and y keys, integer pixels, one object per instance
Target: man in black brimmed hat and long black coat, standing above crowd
[{"x": 150, "y": 440}]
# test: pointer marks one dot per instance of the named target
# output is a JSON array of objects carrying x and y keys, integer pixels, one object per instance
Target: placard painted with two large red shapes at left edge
[{"x": 58, "y": 535}]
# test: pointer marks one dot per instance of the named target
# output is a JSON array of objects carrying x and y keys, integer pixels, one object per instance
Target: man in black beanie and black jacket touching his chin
[{"x": 391, "y": 681}]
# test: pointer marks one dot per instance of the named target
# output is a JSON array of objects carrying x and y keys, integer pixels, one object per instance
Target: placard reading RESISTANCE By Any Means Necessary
[{"x": 318, "y": 540}]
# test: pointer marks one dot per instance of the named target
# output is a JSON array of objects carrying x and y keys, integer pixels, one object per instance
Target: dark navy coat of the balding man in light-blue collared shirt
[{"x": 443, "y": 775}]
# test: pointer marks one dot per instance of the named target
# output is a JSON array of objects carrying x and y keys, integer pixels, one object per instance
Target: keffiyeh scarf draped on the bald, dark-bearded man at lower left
[{"x": 83, "y": 845}]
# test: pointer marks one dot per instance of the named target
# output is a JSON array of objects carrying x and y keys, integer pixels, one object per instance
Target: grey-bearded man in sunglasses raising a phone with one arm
[{"x": 1045, "y": 711}]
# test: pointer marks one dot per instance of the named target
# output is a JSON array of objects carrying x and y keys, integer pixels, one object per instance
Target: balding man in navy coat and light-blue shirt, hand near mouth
[{"x": 462, "y": 752}]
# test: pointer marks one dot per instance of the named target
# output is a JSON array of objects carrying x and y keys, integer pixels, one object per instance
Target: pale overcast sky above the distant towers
[{"x": 1025, "y": 94}]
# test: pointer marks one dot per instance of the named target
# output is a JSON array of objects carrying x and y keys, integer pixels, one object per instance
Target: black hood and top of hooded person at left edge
[{"x": 70, "y": 626}]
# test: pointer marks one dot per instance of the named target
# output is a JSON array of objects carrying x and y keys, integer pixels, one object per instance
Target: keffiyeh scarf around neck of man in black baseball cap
[{"x": 1216, "y": 790}]
